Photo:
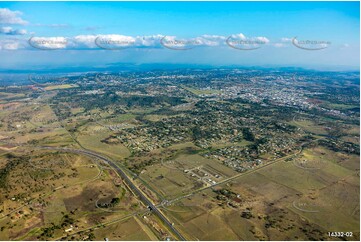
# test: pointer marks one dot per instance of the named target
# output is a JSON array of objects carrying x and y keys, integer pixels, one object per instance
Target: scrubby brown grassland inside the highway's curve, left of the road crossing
[{"x": 45, "y": 193}]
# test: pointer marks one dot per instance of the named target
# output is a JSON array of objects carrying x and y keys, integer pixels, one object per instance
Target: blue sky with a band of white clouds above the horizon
[{"x": 71, "y": 28}]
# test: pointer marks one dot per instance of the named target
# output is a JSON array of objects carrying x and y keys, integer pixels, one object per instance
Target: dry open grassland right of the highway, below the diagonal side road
[{"x": 299, "y": 199}]
